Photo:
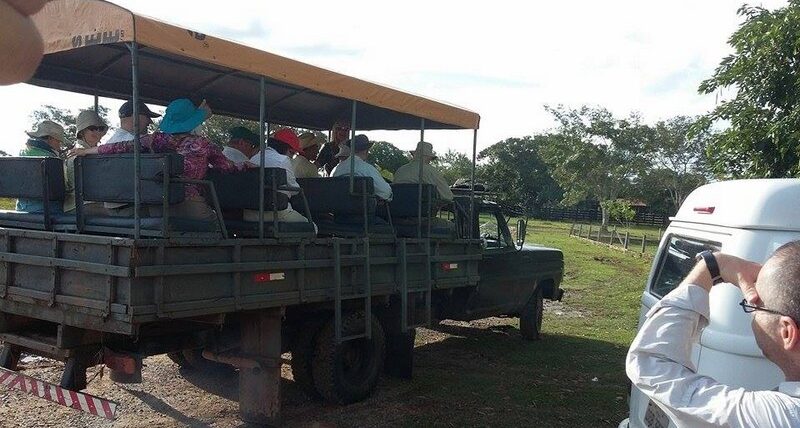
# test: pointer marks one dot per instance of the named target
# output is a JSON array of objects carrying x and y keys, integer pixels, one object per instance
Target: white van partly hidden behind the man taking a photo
[{"x": 746, "y": 218}]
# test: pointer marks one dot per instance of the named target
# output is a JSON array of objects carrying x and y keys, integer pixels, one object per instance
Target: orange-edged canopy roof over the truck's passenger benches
[{"x": 86, "y": 51}]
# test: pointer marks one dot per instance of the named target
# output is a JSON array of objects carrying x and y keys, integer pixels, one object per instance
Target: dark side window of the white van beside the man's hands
[{"x": 676, "y": 261}]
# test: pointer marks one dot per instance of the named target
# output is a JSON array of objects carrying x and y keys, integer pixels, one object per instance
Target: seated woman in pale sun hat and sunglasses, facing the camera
[{"x": 90, "y": 129}]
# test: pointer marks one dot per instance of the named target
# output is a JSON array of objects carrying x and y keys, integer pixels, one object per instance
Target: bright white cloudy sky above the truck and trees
[{"x": 502, "y": 59}]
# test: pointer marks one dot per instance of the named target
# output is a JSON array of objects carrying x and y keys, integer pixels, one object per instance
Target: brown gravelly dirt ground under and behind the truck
[{"x": 171, "y": 397}]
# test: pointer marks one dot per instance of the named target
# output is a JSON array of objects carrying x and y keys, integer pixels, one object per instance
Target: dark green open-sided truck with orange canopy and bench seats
[{"x": 345, "y": 301}]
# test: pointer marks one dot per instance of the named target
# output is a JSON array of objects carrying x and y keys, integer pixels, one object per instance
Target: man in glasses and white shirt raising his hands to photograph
[{"x": 659, "y": 360}]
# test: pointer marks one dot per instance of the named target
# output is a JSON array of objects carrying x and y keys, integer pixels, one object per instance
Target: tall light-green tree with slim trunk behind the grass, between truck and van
[{"x": 593, "y": 155}]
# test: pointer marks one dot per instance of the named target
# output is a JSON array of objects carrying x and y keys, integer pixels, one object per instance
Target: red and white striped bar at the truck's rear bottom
[{"x": 76, "y": 400}]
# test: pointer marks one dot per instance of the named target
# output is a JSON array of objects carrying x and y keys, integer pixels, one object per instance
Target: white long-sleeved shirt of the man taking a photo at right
[{"x": 659, "y": 364}]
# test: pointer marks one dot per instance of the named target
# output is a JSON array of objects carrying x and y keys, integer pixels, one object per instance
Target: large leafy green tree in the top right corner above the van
[{"x": 764, "y": 116}]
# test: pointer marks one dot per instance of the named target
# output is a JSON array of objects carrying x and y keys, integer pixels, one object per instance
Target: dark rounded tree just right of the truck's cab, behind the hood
[{"x": 514, "y": 170}]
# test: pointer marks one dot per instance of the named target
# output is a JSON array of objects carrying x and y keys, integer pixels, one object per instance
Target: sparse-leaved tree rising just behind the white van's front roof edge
[{"x": 678, "y": 159}]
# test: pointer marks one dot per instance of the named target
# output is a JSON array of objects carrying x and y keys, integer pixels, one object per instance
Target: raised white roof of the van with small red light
[{"x": 746, "y": 204}]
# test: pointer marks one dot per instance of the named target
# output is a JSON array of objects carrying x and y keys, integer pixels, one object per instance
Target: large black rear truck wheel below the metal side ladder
[{"x": 348, "y": 372}]
